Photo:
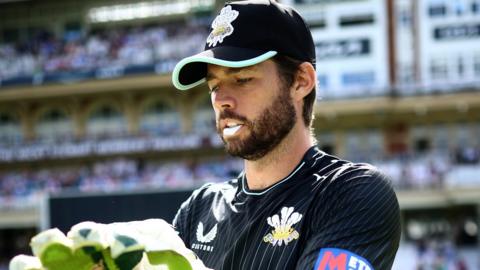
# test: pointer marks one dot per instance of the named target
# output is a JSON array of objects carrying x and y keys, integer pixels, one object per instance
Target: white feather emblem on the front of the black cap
[{"x": 222, "y": 26}]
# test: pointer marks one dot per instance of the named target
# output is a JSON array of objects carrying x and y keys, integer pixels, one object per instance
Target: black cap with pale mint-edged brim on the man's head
[{"x": 246, "y": 33}]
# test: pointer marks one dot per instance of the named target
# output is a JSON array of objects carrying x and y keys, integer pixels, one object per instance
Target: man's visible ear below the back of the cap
[{"x": 305, "y": 80}]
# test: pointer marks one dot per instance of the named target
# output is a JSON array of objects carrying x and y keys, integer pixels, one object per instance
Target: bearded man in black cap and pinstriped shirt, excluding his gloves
[{"x": 293, "y": 206}]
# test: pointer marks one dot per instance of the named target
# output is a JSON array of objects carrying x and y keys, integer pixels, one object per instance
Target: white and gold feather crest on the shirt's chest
[{"x": 283, "y": 231}]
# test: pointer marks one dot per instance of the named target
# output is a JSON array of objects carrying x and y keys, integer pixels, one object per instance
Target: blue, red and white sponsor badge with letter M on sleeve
[{"x": 340, "y": 259}]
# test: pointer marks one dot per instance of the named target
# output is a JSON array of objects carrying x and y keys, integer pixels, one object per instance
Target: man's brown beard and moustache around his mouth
[{"x": 266, "y": 132}]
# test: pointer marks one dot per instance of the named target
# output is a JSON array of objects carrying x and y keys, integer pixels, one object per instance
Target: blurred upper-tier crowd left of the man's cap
[{"x": 75, "y": 51}]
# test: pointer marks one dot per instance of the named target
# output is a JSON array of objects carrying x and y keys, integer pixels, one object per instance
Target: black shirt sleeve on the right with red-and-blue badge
[{"x": 356, "y": 222}]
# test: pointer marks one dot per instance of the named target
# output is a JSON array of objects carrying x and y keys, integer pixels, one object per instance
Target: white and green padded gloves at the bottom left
[{"x": 138, "y": 245}]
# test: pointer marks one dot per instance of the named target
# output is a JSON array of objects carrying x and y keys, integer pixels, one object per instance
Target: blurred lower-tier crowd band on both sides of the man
[{"x": 428, "y": 171}]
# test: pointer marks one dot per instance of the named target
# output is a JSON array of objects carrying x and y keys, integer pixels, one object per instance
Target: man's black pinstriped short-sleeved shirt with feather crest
[{"x": 327, "y": 214}]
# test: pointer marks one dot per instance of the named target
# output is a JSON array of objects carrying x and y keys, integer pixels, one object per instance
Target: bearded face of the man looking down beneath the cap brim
[{"x": 254, "y": 111}]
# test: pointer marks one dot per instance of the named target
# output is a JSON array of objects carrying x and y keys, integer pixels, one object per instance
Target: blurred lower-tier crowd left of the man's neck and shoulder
[{"x": 22, "y": 188}]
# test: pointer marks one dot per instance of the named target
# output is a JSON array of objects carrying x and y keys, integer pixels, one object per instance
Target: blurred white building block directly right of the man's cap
[{"x": 352, "y": 47}]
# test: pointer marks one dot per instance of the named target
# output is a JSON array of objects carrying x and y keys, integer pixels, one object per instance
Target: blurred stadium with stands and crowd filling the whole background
[{"x": 88, "y": 115}]
